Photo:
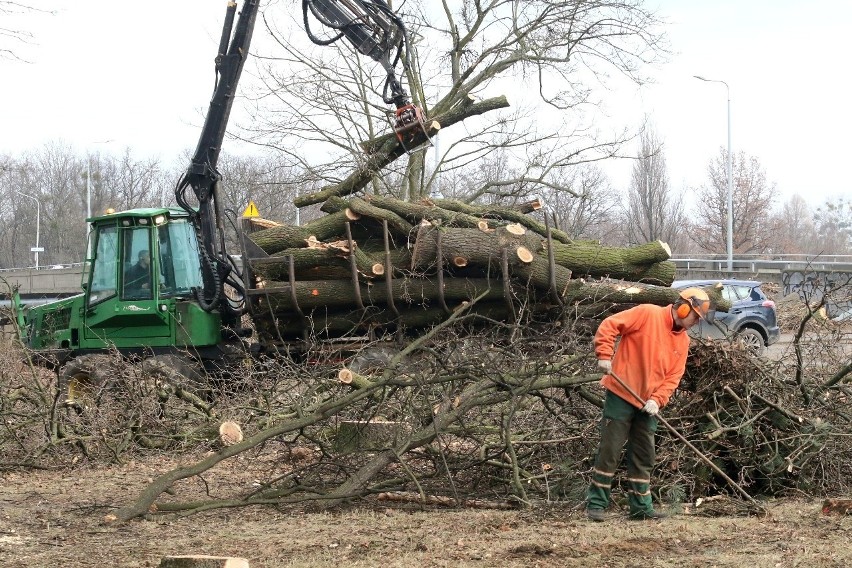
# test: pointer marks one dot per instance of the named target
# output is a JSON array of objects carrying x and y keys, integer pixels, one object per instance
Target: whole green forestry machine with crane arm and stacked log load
[{"x": 162, "y": 287}]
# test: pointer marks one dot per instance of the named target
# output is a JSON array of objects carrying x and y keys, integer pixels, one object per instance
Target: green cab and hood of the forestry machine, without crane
[{"x": 138, "y": 293}]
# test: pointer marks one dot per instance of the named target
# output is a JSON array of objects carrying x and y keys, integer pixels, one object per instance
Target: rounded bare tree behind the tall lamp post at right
[{"x": 753, "y": 199}]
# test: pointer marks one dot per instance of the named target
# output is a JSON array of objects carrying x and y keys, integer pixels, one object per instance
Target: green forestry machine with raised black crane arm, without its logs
[{"x": 160, "y": 281}]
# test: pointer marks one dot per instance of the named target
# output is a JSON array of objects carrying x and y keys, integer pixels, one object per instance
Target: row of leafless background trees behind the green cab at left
[{"x": 57, "y": 178}]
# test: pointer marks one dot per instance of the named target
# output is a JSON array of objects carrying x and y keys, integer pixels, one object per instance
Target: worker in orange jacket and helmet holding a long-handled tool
[{"x": 650, "y": 358}]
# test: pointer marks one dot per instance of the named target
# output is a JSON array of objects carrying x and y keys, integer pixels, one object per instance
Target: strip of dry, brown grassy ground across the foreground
[{"x": 55, "y": 518}]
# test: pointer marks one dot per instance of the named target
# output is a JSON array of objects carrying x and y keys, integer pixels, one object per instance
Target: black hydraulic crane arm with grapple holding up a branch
[{"x": 369, "y": 25}]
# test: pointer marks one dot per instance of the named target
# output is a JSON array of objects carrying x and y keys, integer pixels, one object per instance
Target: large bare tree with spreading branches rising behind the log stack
[{"x": 317, "y": 105}]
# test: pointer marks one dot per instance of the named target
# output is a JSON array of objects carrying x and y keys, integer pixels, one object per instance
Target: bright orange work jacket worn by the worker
[{"x": 650, "y": 357}]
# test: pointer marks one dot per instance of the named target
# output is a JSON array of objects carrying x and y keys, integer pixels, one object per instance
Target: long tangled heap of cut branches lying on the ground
[{"x": 463, "y": 415}]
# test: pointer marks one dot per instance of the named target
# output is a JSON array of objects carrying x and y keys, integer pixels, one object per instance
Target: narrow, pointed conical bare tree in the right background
[{"x": 653, "y": 211}]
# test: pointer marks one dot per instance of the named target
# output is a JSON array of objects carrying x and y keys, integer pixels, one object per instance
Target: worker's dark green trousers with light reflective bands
[{"x": 624, "y": 423}]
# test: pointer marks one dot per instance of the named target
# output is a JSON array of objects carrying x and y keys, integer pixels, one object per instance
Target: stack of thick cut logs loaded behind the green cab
[{"x": 375, "y": 264}]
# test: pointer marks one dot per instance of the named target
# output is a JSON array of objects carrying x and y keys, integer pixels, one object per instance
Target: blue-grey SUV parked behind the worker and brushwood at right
[{"x": 751, "y": 319}]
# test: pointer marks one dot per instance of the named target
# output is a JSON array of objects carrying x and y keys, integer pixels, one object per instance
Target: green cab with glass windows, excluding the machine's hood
[{"x": 143, "y": 276}]
